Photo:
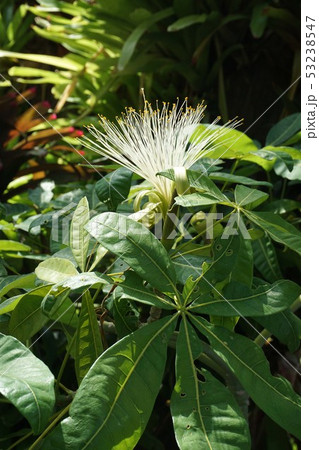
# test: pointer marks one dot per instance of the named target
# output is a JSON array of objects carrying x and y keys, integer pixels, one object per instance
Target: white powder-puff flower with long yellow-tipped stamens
[{"x": 154, "y": 140}]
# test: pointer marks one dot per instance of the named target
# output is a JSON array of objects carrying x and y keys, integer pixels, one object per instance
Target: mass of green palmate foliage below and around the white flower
[{"x": 132, "y": 326}]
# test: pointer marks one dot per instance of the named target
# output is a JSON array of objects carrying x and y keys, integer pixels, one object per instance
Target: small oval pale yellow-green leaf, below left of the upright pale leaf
[{"x": 55, "y": 270}]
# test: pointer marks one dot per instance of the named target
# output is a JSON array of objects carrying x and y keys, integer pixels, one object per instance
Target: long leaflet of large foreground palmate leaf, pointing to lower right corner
[{"x": 274, "y": 395}]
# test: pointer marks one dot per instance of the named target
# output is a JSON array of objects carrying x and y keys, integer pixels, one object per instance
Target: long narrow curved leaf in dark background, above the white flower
[{"x": 130, "y": 44}]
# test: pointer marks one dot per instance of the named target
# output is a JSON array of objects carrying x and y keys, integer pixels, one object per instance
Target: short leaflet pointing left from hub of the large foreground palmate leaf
[{"x": 132, "y": 289}]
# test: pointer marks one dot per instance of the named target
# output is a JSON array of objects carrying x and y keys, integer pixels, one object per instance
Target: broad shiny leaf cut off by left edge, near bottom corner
[{"x": 26, "y": 382}]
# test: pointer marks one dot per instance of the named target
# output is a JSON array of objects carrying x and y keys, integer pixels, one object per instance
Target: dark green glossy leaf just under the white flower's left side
[{"x": 114, "y": 188}]
